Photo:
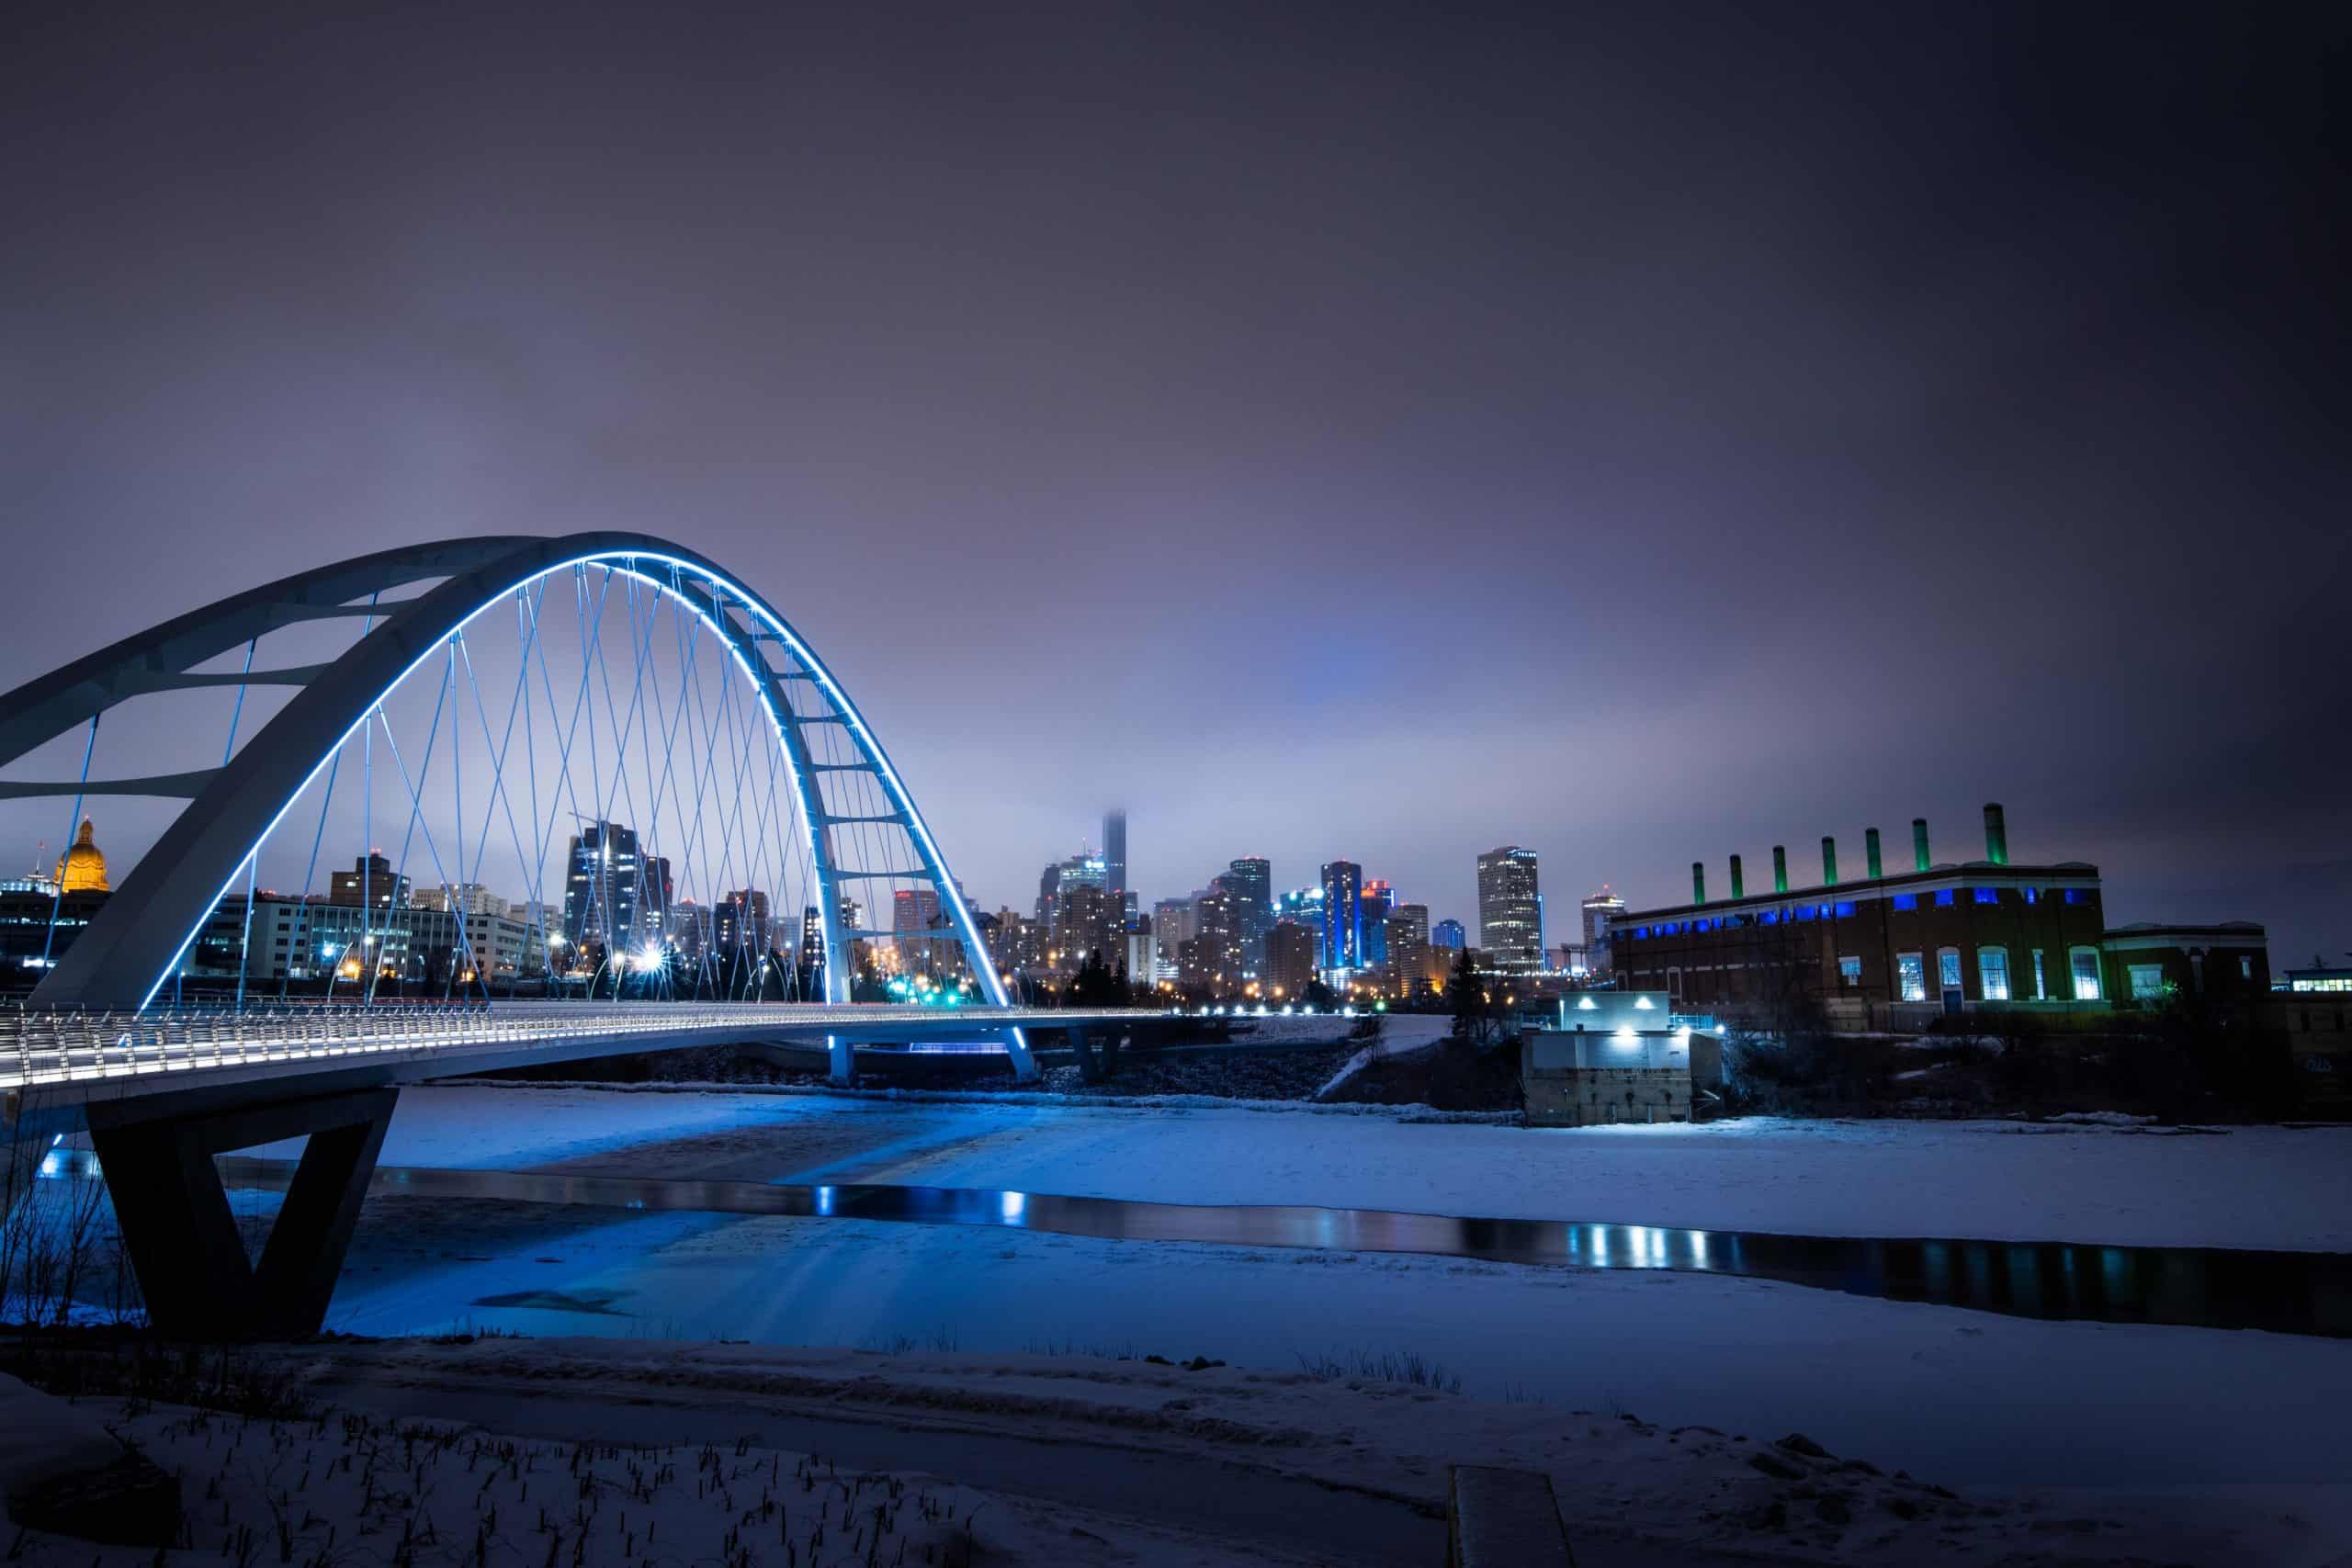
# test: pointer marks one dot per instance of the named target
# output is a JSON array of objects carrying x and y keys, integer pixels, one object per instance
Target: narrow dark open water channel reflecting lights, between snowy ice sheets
[{"x": 2052, "y": 1280}]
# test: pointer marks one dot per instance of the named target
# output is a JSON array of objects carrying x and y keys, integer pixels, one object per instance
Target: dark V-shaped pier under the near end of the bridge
[{"x": 182, "y": 1235}]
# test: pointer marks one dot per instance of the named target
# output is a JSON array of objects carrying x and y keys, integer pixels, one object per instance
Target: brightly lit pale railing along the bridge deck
[{"x": 65, "y": 1047}]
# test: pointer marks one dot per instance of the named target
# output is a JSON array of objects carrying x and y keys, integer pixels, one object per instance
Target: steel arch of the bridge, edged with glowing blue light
[{"x": 145, "y": 930}]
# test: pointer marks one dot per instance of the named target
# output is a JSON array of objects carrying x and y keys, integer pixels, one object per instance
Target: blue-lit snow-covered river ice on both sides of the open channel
[{"x": 1963, "y": 1398}]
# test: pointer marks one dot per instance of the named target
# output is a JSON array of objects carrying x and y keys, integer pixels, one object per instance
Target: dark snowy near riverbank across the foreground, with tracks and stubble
[{"x": 1140, "y": 1442}]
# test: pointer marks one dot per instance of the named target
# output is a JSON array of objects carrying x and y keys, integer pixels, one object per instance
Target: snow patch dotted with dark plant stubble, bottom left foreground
[{"x": 432, "y": 1492}]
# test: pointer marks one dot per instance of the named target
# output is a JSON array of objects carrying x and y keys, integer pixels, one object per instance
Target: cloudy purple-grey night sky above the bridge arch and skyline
[{"x": 1638, "y": 434}]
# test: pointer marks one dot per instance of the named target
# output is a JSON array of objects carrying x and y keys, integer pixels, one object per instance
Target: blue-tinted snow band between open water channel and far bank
[{"x": 2120, "y": 1186}]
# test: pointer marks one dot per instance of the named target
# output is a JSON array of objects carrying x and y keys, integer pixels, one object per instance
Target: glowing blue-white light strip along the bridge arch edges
[{"x": 627, "y": 565}]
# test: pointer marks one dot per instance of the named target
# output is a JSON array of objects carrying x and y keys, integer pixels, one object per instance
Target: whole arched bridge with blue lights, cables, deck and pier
[{"x": 707, "y": 840}]
